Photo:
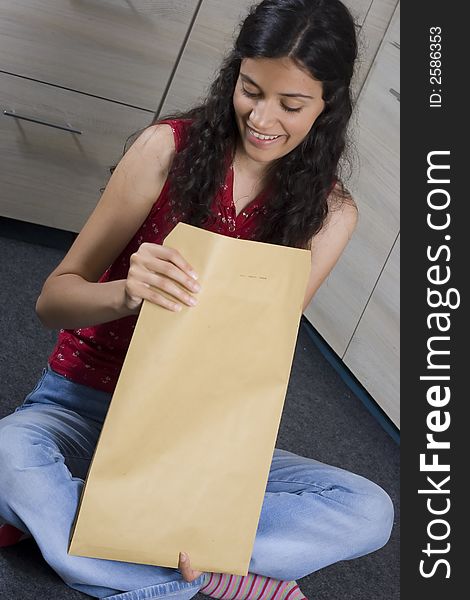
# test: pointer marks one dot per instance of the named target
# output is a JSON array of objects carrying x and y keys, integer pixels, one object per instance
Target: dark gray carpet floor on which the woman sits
[{"x": 322, "y": 419}]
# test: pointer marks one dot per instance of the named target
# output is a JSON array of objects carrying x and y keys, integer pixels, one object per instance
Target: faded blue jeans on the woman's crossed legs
[{"x": 312, "y": 515}]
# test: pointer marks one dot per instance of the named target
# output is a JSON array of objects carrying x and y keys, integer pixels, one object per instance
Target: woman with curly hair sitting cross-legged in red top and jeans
[{"x": 259, "y": 160}]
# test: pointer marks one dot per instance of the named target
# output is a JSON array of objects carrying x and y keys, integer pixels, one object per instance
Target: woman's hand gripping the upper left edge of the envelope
[{"x": 155, "y": 268}]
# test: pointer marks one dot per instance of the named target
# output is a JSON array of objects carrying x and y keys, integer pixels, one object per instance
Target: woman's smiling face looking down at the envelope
[{"x": 273, "y": 97}]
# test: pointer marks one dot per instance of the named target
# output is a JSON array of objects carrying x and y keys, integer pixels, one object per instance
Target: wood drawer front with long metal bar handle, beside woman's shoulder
[{"x": 51, "y": 176}]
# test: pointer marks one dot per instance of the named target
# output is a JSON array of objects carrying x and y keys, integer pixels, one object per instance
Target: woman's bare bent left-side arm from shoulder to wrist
[{"x": 70, "y": 296}]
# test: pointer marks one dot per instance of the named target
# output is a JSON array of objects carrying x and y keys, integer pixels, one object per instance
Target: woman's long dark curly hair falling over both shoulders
[{"x": 319, "y": 37}]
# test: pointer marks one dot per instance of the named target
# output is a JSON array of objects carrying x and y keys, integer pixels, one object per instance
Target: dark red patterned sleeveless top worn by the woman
[{"x": 93, "y": 356}]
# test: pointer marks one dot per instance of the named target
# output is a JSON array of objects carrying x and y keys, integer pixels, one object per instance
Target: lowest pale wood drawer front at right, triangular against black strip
[{"x": 373, "y": 354}]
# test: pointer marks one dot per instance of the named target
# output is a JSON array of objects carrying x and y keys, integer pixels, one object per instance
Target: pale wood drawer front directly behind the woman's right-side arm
[{"x": 338, "y": 305}]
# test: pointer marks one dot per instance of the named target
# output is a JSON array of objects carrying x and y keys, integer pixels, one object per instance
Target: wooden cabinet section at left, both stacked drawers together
[{"x": 101, "y": 67}]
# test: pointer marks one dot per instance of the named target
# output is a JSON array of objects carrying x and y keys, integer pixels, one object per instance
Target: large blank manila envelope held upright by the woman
[{"x": 183, "y": 458}]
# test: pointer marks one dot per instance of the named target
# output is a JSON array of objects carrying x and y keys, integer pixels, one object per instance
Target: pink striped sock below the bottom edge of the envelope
[{"x": 250, "y": 587}]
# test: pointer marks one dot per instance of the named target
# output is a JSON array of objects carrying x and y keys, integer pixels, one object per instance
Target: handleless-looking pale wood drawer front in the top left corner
[{"x": 123, "y": 51}]
